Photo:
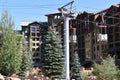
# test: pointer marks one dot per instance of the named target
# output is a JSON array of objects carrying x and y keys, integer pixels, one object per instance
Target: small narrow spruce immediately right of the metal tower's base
[{"x": 76, "y": 68}]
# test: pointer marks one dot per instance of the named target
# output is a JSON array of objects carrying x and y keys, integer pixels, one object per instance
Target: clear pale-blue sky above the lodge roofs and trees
[{"x": 35, "y": 10}]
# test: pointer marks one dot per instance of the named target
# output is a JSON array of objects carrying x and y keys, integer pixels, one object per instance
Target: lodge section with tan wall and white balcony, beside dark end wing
[{"x": 91, "y": 38}]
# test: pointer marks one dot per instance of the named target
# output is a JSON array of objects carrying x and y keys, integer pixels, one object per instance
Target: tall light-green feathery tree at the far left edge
[{"x": 10, "y": 54}]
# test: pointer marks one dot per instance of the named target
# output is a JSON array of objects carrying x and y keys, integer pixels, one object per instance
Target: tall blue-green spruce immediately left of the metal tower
[{"x": 53, "y": 57}]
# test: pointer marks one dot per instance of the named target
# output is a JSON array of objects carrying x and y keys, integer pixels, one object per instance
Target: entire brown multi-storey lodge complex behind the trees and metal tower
[{"x": 92, "y": 35}]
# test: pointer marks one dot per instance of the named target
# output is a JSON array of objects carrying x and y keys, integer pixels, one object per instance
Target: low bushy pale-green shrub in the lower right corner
[{"x": 106, "y": 70}]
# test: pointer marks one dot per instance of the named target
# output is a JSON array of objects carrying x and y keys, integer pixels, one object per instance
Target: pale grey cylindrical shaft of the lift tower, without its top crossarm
[{"x": 66, "y": 47}]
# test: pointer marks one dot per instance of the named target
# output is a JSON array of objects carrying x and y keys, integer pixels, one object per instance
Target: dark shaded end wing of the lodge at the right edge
[{"x": 113, "y": 31}]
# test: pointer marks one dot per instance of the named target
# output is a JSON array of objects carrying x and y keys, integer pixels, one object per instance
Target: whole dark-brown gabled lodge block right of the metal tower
[{"x": 98, "y": 34}]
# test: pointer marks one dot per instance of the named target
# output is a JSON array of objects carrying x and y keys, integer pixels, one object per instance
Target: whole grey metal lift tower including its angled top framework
[{"x": 66, "y": 16}]
